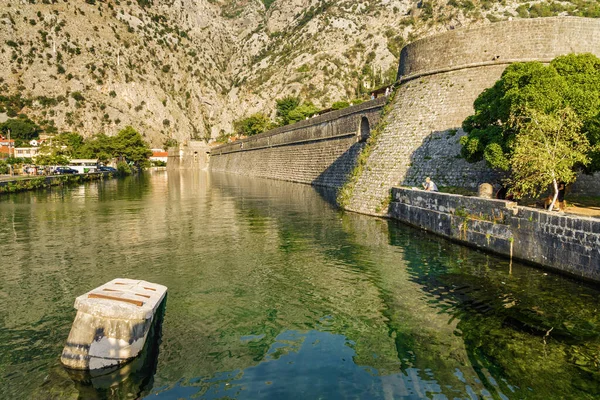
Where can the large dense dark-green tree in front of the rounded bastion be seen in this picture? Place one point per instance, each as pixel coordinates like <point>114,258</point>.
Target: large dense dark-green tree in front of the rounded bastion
<point>569,82</point>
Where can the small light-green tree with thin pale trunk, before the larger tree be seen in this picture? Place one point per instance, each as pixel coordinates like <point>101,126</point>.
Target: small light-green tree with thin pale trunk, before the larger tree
<point>546,150</point>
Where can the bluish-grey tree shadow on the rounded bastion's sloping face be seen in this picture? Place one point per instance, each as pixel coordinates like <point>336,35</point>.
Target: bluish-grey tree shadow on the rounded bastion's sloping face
<point>439,158</point>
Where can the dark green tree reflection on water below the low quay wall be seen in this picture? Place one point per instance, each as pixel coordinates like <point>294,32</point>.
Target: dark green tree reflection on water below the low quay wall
<point>534,331</point>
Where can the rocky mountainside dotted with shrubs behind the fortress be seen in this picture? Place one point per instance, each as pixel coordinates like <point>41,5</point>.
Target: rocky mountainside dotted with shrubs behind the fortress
<point>188,68</point>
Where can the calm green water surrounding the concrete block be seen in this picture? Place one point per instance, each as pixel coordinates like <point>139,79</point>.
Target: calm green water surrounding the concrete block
<point>275,294</point>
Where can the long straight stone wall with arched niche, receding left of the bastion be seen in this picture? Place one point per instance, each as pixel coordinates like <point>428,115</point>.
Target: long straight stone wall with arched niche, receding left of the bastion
<point>319,151</point>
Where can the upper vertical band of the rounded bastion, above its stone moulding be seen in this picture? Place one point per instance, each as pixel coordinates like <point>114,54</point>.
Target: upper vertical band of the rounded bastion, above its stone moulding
<point>505,42</point>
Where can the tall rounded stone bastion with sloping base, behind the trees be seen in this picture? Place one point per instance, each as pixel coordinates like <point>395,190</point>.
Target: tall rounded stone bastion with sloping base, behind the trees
<point>440,77</point>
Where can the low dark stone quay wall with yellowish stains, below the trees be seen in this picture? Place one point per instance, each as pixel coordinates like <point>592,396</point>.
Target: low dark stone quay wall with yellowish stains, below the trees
<point>564,243</point>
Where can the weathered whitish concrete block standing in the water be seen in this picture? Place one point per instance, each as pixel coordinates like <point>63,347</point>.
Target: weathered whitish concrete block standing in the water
<point>112,323</point>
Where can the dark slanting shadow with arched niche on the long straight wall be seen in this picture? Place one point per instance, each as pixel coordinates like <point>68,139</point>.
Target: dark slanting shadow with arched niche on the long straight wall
<point>337,173</point>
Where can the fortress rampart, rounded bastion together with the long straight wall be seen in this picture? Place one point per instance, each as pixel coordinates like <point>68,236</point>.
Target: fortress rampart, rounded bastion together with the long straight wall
<point>439,79</point>
